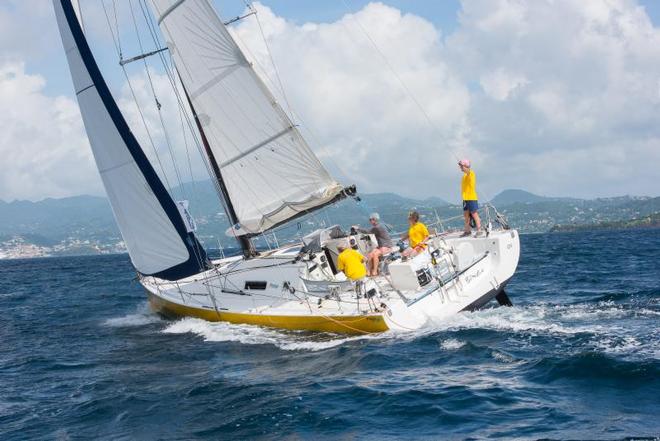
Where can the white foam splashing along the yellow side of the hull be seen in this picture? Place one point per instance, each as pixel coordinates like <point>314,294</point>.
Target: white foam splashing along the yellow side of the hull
<point>248,334</point>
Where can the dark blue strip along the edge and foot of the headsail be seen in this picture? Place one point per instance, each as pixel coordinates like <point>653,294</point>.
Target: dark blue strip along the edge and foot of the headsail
<point>198,260</point>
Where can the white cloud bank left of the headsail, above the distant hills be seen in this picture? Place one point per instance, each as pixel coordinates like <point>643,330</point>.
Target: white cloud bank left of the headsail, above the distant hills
<point>43,147</point>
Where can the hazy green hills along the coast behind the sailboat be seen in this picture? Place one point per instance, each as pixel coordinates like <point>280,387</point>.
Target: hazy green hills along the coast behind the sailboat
<point>86,222</point>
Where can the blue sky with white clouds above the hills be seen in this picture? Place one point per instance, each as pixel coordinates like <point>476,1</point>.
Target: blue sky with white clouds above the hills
<point>557,97</point>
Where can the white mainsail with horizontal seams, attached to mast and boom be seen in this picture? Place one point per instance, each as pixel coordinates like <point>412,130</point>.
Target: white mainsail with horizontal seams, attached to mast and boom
<point>270,172</point>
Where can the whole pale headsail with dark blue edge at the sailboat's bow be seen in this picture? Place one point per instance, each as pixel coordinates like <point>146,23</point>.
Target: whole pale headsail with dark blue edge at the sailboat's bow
<point>149,220</point>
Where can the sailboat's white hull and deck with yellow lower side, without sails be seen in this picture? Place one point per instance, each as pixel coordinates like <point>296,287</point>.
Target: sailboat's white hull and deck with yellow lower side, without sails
<point>274,290</point>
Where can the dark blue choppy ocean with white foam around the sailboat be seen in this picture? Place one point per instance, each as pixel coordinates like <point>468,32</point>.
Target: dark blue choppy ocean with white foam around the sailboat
<point>578,356</point>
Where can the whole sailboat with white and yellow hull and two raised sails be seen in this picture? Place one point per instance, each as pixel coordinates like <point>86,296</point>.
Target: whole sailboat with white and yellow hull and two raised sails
<point>266,175</point>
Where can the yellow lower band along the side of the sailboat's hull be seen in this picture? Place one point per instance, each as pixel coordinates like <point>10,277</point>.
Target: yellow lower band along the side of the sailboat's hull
<point>361,324</point>
